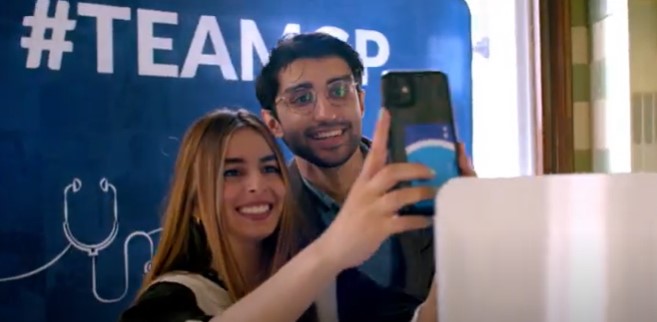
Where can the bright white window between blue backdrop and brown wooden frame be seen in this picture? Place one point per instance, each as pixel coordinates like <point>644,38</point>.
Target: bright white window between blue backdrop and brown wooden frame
<point>503,113</point>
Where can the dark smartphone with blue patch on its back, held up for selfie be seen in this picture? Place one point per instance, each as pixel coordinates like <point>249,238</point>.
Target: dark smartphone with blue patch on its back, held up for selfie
<point>422,127</point>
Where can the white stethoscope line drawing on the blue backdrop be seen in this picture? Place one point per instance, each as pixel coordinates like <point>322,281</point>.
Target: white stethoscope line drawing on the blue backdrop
<point>93,250</point>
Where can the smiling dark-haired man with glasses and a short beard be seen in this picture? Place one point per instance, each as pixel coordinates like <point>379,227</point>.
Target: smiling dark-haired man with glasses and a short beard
<point>311,97</point>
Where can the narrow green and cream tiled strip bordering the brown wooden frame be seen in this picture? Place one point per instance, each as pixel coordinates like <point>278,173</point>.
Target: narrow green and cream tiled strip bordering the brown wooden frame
<point>581,85</point>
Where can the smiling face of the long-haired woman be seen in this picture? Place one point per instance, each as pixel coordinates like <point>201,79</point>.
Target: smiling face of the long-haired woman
<point>253,187</point>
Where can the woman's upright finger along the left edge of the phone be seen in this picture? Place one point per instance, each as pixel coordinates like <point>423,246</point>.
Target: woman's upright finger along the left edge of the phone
<point>376,157</point>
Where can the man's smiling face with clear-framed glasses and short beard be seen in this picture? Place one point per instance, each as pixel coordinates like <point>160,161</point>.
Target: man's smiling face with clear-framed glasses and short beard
<point>319,111</point>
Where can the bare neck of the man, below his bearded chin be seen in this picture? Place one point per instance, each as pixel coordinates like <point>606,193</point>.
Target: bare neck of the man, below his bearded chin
<point>337,181</point>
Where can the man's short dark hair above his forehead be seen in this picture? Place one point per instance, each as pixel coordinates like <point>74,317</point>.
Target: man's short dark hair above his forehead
<point>297,46</point>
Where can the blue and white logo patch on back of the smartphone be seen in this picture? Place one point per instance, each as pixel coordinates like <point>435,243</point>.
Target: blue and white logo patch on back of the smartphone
<point>432,145</point>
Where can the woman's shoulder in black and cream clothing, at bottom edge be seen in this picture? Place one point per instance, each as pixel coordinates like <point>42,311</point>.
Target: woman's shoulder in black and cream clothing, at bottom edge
<point>177,297</point>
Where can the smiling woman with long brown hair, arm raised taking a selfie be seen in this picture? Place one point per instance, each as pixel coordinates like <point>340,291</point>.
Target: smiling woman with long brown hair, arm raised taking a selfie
<point>229,244</point>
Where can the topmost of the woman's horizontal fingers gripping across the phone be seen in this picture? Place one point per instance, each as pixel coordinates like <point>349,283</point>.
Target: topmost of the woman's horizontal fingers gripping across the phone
<point>394,173</point>
